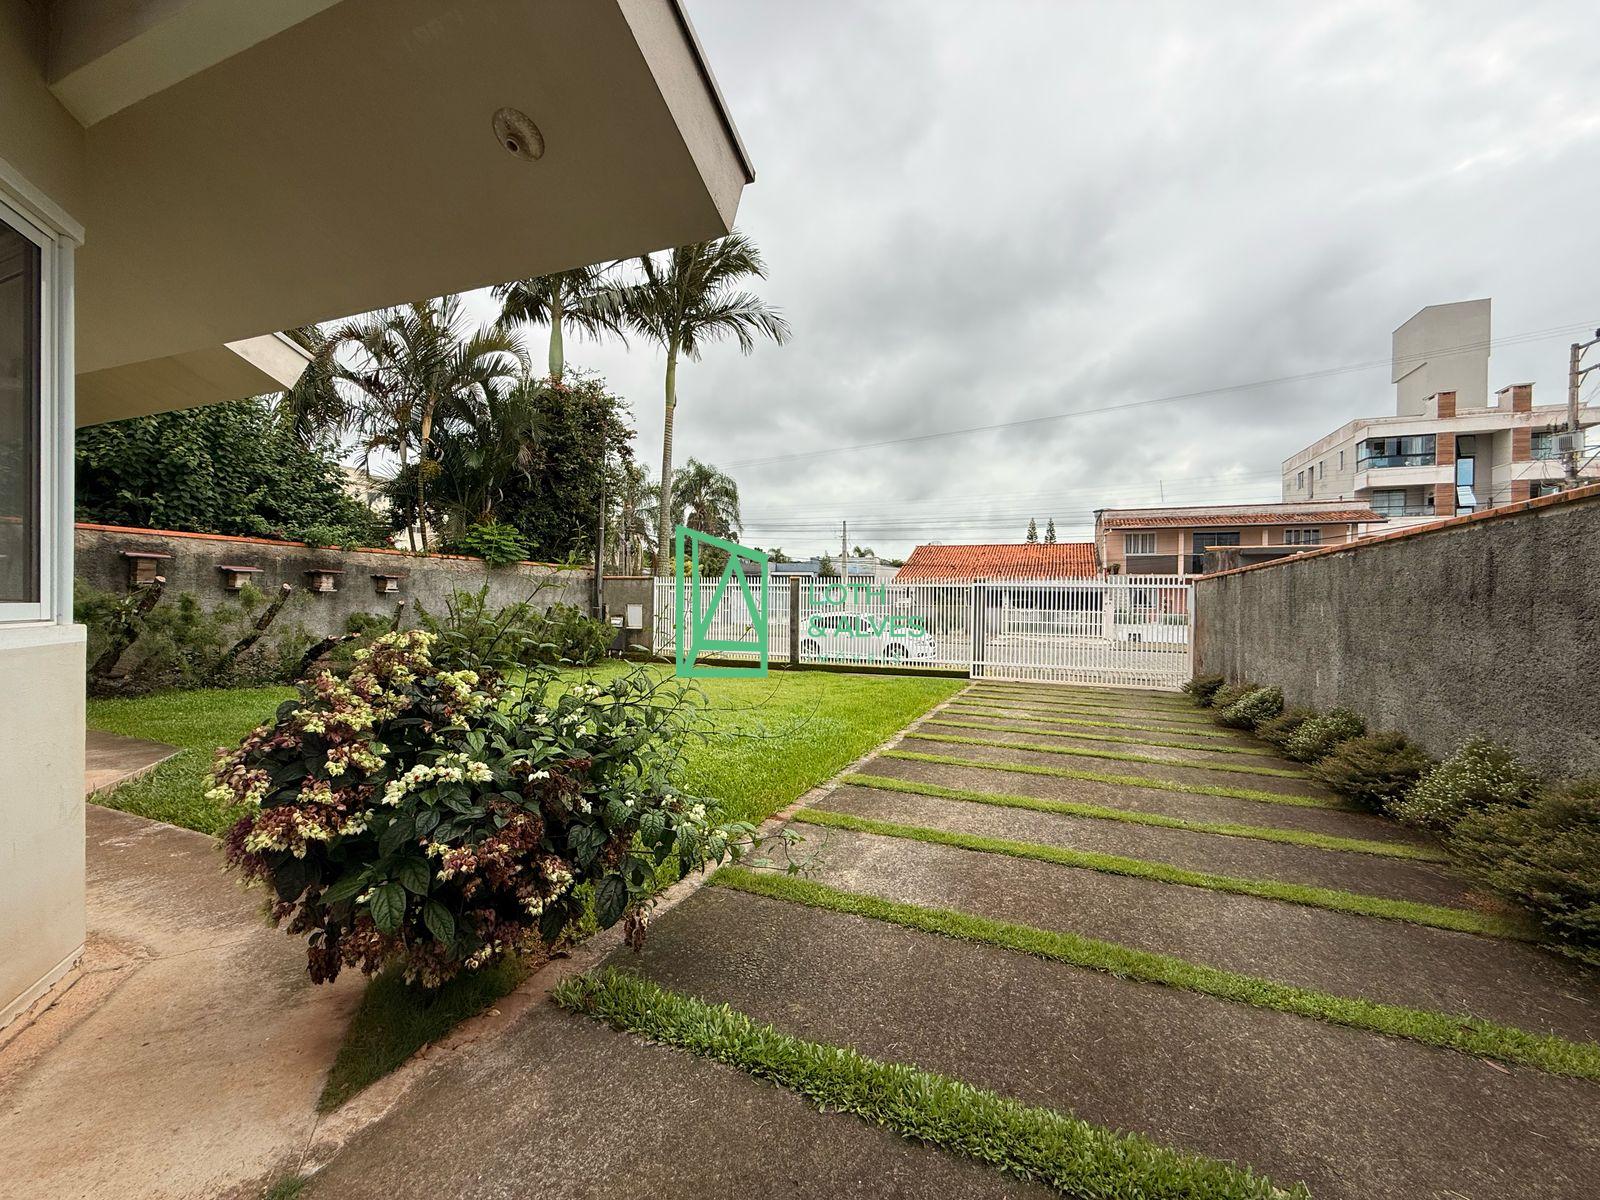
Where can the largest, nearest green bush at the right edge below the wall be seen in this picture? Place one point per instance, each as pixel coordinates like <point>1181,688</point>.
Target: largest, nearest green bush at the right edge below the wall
<point>1546,857</point>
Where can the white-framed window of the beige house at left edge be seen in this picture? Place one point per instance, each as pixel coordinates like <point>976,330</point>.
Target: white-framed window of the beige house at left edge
<point>25,433</point>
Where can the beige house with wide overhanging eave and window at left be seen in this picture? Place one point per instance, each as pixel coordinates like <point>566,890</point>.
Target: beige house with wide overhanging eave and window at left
<point>180,180</point>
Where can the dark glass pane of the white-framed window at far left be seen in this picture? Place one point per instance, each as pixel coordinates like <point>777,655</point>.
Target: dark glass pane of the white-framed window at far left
<point>20,417</point>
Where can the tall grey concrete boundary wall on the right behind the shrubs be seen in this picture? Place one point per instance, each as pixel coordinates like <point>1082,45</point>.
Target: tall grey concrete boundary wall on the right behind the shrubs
<point>1484,625</point>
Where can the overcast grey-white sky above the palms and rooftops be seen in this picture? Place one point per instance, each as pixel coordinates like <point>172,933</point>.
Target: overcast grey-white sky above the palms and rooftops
<point>978,214</point>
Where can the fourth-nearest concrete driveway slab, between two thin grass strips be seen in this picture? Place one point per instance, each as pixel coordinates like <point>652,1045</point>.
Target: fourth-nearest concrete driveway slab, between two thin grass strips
<point>1423,882</point>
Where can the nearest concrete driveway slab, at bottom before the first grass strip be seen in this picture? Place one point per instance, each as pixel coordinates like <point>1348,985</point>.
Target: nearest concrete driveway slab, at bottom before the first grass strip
<point>564,1110</point>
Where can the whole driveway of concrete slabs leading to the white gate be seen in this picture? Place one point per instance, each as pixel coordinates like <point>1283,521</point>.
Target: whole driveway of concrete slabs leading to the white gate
<point>1353,1114</point>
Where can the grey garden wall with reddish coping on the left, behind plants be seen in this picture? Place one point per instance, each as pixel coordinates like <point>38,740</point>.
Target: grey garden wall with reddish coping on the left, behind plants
<point>194,564</point>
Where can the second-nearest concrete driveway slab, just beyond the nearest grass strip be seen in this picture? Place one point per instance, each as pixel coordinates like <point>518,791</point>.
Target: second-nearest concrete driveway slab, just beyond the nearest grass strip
<point>1353,1114</point>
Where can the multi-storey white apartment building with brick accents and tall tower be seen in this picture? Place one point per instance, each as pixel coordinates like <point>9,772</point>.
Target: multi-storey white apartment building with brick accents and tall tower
<point>1452,447</point>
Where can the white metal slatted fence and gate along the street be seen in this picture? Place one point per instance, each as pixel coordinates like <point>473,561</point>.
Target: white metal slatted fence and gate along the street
<point>1130,631</point>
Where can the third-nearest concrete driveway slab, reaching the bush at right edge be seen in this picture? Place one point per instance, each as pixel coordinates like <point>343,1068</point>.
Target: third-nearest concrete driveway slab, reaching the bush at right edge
<point>1346,954</point>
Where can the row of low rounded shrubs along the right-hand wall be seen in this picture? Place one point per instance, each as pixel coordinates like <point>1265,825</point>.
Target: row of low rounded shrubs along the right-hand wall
<point>1532,844</point>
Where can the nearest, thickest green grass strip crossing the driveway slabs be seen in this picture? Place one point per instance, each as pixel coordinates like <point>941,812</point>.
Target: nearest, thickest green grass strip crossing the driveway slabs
<point>1071,1156</point>
